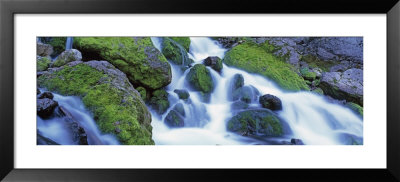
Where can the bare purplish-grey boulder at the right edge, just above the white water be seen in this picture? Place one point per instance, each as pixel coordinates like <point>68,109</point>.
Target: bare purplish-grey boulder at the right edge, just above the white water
<point>344,86</point>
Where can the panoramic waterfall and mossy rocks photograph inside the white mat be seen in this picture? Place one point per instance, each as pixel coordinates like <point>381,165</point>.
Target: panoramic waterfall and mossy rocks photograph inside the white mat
<point>199,90</point>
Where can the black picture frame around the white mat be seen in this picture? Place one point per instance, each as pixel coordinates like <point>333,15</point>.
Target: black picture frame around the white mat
<point>9,8</point>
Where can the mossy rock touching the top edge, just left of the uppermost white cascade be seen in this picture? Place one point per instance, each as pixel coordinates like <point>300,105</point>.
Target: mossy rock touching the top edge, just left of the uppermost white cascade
<point>174,51</point>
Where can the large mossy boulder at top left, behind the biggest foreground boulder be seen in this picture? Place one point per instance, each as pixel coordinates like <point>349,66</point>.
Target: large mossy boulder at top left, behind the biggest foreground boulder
<point>142,63</point>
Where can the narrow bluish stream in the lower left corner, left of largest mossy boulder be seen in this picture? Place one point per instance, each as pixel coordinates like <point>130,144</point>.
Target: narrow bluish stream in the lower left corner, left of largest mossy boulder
<point>57,129</point>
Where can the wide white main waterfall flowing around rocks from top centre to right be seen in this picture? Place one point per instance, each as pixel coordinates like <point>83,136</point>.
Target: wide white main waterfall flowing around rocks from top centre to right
<point>311,117</point>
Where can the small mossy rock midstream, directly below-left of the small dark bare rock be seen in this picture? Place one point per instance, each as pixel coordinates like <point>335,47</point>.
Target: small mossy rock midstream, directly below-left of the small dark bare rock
<point>199,77</point>
